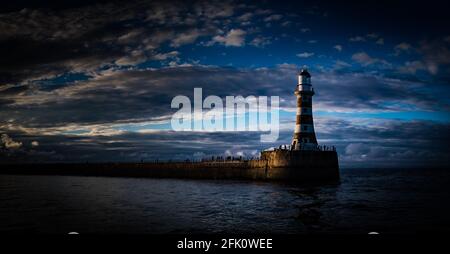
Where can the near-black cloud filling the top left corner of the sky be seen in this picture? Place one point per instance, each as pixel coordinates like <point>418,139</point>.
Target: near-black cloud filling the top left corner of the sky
<point>47,42</point>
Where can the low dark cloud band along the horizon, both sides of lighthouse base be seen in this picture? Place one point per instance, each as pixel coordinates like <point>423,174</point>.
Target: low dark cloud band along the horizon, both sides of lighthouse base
<point>416,143</point>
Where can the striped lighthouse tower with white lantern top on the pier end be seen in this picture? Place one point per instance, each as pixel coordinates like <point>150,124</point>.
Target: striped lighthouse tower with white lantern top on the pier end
<point>304,135</point>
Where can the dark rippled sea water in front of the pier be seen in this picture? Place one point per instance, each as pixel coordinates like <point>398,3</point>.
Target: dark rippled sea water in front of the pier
<point>382,200</point>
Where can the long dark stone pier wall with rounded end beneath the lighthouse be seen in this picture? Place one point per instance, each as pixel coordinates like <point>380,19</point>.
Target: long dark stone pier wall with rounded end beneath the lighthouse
<point>276,165</point>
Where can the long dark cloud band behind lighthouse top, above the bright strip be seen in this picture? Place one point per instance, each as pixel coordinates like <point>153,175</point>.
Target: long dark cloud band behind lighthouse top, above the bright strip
<point>127,95</point>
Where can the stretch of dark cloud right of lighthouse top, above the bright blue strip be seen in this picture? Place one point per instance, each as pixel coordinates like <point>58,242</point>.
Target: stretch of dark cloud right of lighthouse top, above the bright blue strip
<point>368,92</point>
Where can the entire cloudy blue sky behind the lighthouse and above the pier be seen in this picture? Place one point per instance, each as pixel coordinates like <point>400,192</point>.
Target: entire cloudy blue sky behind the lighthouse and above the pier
<point>93,81</point>
